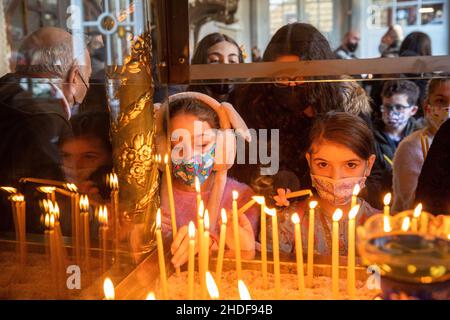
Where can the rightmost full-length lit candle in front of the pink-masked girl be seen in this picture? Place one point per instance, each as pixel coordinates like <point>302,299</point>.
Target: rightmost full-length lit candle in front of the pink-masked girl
<point>351,277</point>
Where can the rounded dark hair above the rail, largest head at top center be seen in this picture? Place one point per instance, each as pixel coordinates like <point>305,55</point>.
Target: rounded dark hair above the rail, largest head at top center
<point>299,39</point>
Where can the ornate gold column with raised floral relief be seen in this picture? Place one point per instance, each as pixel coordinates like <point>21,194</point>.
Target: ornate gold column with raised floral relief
<point>130,99</point>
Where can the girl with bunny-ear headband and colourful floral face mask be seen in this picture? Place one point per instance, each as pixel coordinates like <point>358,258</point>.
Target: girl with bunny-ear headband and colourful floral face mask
<point>194,146</point>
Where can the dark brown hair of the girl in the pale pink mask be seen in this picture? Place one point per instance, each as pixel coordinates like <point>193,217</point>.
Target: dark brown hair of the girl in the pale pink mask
<point>345,129</point>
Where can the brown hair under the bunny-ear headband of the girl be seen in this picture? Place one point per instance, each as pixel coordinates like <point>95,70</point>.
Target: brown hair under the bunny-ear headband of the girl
<point>193,107</point>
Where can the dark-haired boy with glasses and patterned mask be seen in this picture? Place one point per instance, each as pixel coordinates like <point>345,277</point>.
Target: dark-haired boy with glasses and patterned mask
<point>399,106</point>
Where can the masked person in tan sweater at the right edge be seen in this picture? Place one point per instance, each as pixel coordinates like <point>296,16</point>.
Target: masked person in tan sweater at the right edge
<point>412,151</point>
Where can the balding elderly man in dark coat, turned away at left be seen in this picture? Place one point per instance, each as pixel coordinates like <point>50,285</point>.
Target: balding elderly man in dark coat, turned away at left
<point>36,102</point>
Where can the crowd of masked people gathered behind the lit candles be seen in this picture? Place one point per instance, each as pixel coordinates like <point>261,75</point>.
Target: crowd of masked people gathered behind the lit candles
<point>333,134</point>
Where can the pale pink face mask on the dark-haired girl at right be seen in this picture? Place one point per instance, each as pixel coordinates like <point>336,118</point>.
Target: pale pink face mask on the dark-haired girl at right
<point>337,192</point>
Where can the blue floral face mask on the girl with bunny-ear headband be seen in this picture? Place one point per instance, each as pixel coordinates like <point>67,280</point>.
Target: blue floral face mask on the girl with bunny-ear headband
<point>200,166</point>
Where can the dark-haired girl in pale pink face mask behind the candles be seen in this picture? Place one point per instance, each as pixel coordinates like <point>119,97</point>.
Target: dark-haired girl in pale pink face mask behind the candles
<point>341,155</point>
